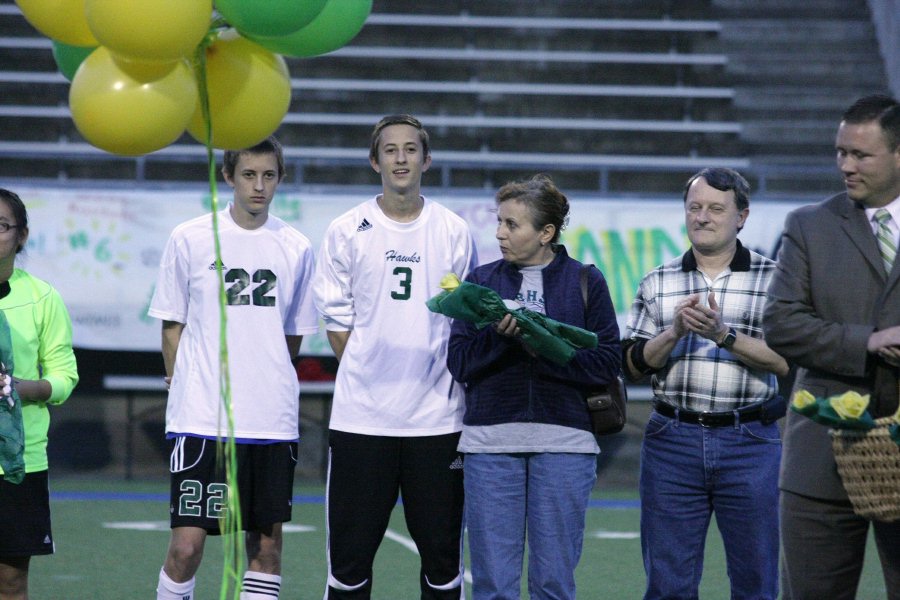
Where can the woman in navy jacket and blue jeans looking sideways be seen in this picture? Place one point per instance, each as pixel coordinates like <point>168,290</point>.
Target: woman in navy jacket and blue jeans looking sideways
<point>530,454</point>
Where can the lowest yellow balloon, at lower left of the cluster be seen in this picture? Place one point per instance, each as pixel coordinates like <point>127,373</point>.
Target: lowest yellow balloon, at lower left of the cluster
<point>123,115</point>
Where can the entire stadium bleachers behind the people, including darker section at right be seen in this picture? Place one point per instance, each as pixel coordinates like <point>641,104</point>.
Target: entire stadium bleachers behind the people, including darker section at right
<point>637,93</point>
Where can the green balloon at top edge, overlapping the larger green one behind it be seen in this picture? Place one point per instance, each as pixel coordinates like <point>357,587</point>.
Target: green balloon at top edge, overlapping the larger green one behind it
<point>269,17</point>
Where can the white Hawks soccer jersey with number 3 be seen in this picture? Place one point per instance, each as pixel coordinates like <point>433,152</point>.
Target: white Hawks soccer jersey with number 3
<point>373,277</point>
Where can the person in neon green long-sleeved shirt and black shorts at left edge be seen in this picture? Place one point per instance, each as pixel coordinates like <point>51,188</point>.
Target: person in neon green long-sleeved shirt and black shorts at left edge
<point>36,349</point>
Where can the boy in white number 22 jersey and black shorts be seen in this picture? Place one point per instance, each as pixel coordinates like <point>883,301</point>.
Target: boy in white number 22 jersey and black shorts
<point>267,266</point>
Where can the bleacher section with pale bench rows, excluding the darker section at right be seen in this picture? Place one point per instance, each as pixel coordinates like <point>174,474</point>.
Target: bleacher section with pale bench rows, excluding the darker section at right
<point>623,88</point>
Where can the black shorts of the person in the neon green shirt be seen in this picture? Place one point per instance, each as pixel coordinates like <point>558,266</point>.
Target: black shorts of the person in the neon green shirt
<point>25,516</point>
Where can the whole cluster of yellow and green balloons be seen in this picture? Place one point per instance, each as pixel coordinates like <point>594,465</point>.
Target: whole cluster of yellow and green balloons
<point>139,69</point>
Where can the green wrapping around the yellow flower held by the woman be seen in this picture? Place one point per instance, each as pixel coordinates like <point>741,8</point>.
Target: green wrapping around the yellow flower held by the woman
<point>482,306</point>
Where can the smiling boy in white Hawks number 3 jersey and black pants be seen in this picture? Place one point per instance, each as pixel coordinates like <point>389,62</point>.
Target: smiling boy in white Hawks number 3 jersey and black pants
<point>397,412</point>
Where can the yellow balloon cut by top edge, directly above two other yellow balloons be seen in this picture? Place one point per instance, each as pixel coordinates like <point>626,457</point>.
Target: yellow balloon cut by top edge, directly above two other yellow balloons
<point>161,30</point>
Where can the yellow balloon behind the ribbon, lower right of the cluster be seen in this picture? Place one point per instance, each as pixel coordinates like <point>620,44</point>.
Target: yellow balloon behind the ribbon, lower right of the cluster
<point>249,93</point>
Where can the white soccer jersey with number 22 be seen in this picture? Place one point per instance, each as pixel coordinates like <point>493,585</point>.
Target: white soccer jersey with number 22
<point>267,273</point>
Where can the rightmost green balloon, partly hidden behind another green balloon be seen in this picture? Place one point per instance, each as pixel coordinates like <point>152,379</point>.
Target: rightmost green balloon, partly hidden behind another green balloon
<point>334,27</point>
